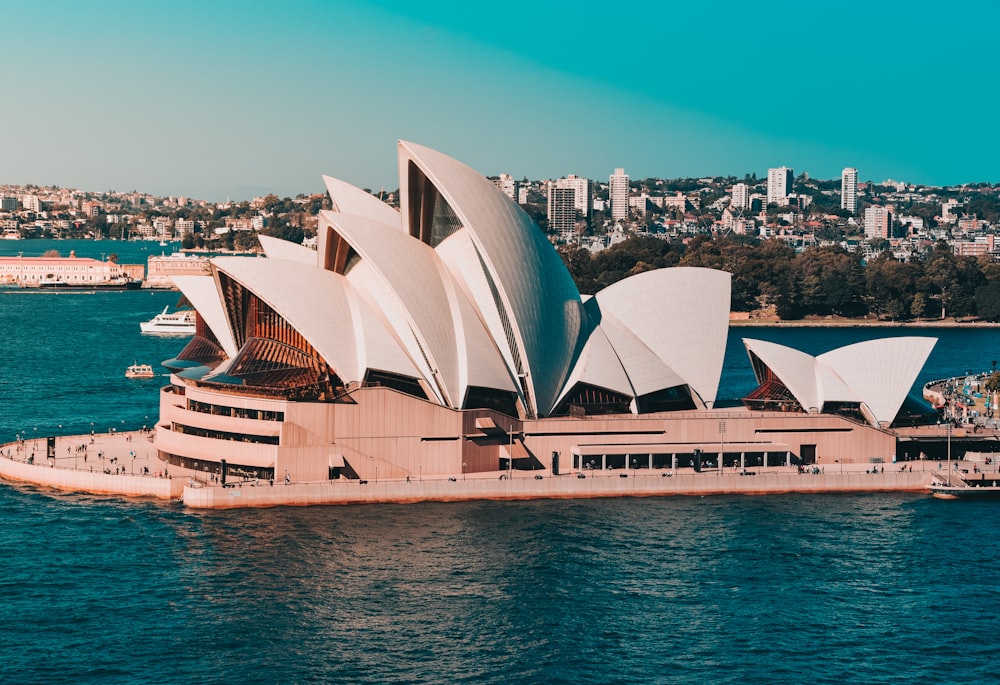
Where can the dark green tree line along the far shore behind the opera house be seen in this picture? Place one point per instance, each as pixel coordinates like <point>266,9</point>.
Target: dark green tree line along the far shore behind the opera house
<point>773,281</point>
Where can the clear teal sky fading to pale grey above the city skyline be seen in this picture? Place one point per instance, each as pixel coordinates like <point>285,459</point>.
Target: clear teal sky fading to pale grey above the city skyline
<point>214,99</point>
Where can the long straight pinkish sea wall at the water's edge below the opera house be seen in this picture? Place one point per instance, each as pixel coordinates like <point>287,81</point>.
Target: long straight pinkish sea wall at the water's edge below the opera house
<point>549,487</point>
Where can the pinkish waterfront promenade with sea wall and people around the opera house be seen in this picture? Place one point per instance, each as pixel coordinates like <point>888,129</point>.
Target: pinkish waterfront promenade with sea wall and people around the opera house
<point>125,464</point>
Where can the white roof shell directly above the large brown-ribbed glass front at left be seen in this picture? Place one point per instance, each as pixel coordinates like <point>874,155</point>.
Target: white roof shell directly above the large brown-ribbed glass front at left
<point>322,307</point>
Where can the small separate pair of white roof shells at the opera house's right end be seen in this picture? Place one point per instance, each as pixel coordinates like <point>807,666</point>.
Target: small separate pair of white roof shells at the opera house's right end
<point>875,373</point>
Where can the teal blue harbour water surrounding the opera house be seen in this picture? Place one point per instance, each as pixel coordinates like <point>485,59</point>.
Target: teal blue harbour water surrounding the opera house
<point>783,589</point>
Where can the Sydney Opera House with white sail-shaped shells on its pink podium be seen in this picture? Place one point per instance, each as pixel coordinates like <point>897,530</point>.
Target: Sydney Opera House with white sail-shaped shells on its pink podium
<point>446,339</point>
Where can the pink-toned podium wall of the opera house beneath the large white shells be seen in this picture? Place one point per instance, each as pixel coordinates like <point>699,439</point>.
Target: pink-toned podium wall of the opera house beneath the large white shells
<point>384,434</point>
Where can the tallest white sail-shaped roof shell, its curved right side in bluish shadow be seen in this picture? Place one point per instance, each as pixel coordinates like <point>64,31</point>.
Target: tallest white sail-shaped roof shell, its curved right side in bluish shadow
<point>530,287</point>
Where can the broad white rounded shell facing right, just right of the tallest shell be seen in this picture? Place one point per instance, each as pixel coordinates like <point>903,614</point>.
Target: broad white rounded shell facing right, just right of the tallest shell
<point>682,315</point>
